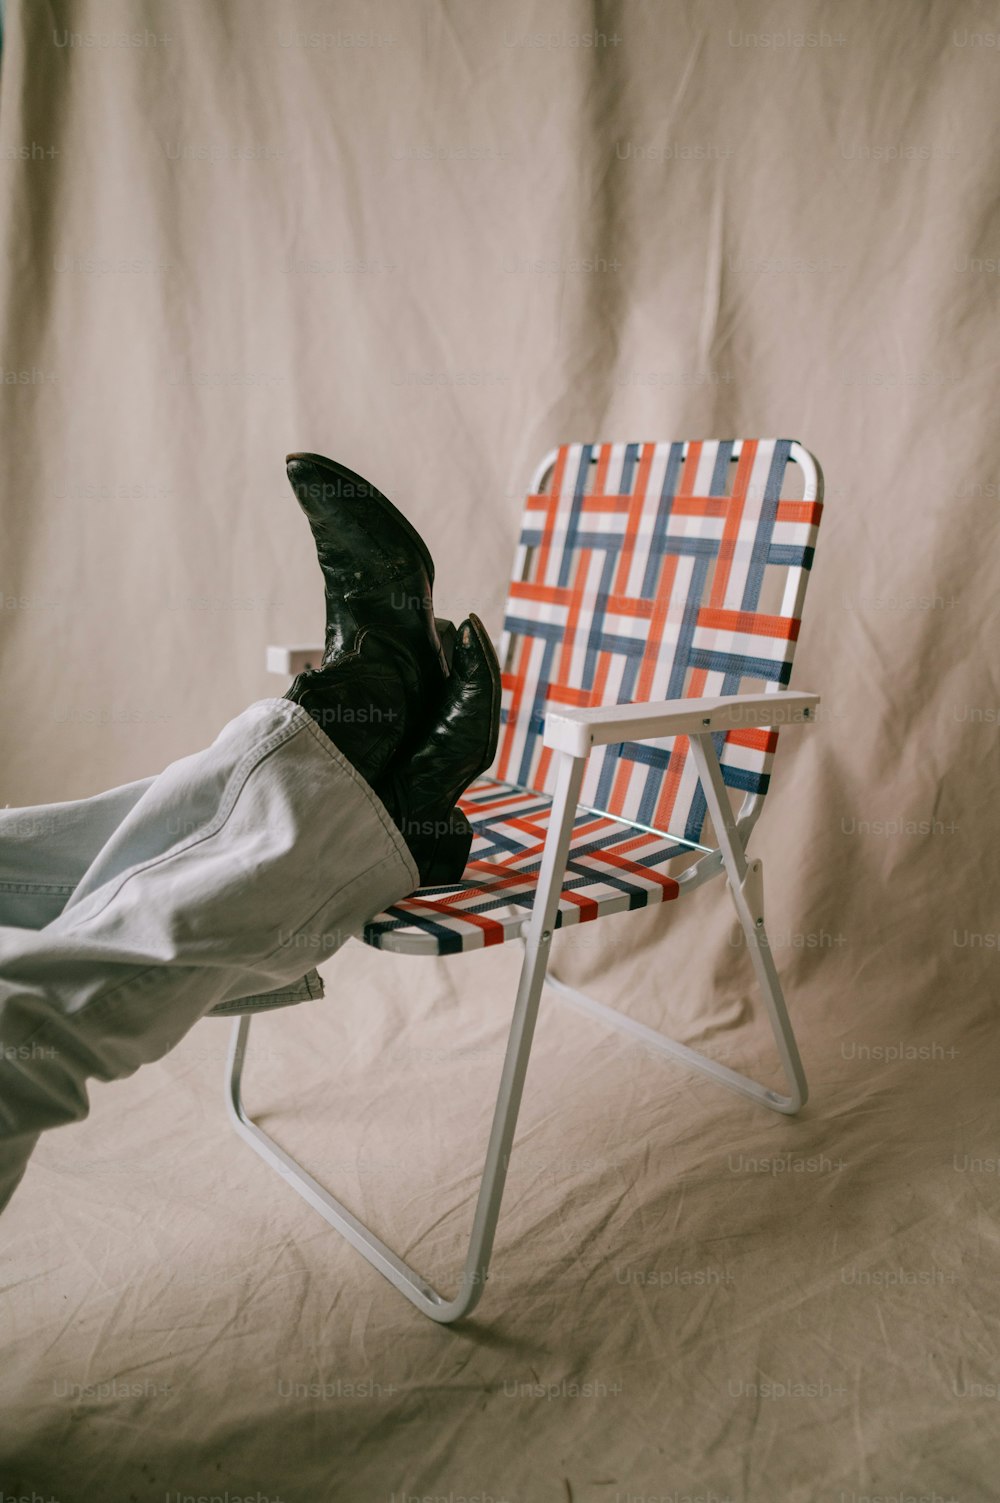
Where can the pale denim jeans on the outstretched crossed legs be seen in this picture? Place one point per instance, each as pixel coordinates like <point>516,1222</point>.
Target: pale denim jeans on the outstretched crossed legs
<point>126,918</point>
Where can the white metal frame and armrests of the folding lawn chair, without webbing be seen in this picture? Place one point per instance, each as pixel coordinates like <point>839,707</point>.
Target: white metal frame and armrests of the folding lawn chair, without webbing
<point>571,734</point>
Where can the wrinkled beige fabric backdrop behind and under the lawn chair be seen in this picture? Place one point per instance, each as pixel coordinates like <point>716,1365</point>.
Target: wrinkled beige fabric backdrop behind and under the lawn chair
<point>435,240</point>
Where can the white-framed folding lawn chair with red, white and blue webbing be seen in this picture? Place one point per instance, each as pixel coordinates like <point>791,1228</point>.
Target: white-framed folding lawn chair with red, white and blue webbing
<point>647,650</point>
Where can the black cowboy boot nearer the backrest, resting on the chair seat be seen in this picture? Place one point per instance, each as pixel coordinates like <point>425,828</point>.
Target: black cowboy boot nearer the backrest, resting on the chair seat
<point>420,793</point>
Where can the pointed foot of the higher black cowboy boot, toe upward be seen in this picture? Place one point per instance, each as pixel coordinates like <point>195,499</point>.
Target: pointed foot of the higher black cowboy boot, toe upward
<point>377,573</point>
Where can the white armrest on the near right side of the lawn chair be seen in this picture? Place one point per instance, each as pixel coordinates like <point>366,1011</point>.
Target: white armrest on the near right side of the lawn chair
<point>577,731</point>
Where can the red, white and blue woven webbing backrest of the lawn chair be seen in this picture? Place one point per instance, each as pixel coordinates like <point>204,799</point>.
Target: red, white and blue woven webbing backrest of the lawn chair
<point>647,572</point>
